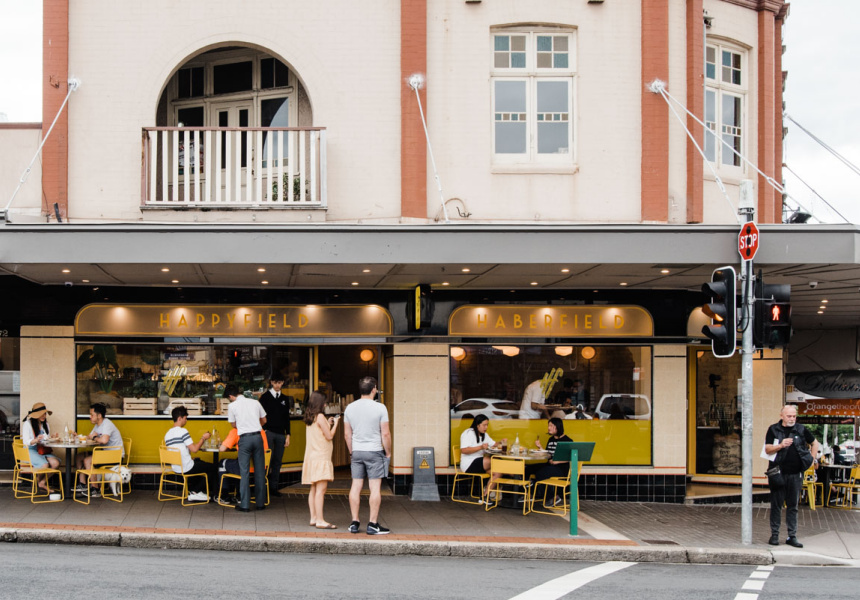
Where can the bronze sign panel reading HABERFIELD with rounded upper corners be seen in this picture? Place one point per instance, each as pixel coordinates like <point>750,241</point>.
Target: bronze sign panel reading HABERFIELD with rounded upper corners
<point>522,320</point>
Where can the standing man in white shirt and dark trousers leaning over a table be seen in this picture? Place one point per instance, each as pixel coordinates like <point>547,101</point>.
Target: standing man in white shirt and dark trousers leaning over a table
<point>248,417</point>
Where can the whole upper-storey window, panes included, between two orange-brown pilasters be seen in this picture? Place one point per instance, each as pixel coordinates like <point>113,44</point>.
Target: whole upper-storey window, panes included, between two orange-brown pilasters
<point>532,96</point>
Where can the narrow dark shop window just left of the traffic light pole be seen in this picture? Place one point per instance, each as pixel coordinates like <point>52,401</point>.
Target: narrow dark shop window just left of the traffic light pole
<point>718,415</point>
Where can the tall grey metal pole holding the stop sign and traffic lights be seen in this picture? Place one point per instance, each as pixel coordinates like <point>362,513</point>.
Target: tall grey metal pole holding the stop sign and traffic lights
<point>746,208</point>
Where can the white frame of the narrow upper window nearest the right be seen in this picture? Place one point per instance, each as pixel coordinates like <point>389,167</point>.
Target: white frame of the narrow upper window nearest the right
<point>724,89</point>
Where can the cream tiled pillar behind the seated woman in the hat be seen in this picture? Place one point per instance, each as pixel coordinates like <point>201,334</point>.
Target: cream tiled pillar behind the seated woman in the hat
<point>48,373</point>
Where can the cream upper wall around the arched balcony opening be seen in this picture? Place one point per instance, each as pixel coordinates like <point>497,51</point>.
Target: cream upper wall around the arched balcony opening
<point>347,55</point>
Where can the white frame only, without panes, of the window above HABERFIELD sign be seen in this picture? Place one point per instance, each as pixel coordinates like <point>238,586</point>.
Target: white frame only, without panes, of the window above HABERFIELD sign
<point>532,75</point>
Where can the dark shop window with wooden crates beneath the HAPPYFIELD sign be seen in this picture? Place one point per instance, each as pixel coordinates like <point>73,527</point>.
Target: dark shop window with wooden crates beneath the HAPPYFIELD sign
<point>149,379</point>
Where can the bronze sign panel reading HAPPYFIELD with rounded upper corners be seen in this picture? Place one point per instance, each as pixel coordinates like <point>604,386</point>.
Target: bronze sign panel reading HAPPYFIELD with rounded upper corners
<point>159,320</point>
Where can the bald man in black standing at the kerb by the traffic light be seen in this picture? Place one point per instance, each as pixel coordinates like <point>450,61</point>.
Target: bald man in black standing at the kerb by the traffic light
<point>790,441</point>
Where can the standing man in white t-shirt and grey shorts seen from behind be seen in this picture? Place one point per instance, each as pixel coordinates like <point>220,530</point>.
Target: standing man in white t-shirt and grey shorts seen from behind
<point>368,438</point>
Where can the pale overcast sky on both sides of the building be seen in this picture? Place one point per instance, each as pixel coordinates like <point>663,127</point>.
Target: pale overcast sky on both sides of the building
<point>821,94</point>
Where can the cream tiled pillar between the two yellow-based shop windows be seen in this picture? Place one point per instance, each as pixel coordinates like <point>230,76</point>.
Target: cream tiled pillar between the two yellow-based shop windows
<point>421,417</point>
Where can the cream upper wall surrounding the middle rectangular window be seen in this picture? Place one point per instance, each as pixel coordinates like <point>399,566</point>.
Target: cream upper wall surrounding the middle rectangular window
<point>607,98</point>
